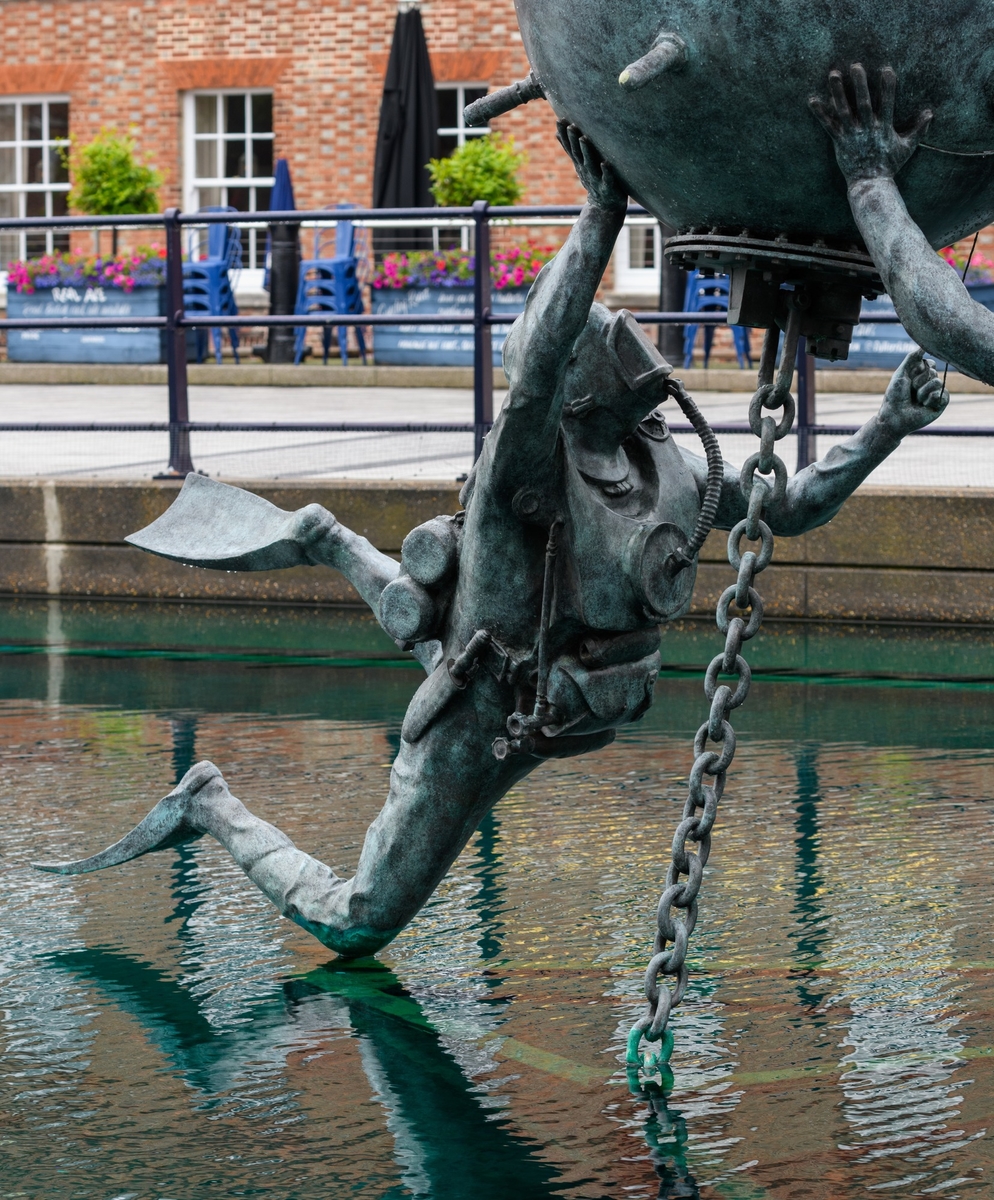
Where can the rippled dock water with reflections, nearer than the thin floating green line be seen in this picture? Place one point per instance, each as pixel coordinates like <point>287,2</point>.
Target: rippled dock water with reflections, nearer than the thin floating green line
<point>167,1035</point>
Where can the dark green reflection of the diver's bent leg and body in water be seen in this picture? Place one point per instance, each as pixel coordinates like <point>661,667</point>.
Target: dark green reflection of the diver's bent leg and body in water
<point>446,1144</point>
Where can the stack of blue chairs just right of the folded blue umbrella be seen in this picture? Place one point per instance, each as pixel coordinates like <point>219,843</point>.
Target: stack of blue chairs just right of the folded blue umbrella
<point>331,285</point>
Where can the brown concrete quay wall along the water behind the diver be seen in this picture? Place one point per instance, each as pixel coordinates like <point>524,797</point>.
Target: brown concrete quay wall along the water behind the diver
<point>893,555</point>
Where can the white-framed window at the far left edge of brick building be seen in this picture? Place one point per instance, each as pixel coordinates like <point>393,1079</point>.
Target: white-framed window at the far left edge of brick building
<point>34,177</point>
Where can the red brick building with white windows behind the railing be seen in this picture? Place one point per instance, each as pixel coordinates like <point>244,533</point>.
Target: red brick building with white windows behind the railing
<point>215,93</point>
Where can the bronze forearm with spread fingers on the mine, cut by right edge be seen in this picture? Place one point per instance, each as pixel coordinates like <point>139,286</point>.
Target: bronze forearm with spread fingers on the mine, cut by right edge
<point>930,298</point>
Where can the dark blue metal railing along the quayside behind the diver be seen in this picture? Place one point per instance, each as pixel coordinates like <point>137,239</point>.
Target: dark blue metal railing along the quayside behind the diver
<point>481,218</point>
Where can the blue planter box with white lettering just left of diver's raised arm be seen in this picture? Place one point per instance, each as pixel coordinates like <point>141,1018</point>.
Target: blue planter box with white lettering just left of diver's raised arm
<point>450,346</point>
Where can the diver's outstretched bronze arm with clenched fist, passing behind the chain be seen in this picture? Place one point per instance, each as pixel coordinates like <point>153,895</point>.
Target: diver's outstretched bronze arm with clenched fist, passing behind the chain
<point>914,399</point>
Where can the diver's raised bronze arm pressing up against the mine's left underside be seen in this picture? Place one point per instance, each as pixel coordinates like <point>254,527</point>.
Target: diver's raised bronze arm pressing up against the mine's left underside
<point>558,309</point>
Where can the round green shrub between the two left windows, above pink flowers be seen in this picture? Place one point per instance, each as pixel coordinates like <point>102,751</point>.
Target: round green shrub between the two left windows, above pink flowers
<point>109,179</point>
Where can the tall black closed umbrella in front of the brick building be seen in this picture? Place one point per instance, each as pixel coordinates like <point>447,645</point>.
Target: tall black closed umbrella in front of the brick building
<point>409,131</point>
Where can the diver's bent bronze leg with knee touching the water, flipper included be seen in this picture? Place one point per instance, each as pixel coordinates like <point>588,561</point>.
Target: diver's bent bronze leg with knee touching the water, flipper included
<point>440,789</point>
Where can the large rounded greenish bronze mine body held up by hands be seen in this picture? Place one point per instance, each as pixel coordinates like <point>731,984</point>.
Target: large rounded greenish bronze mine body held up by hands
<point>703,105</point>
